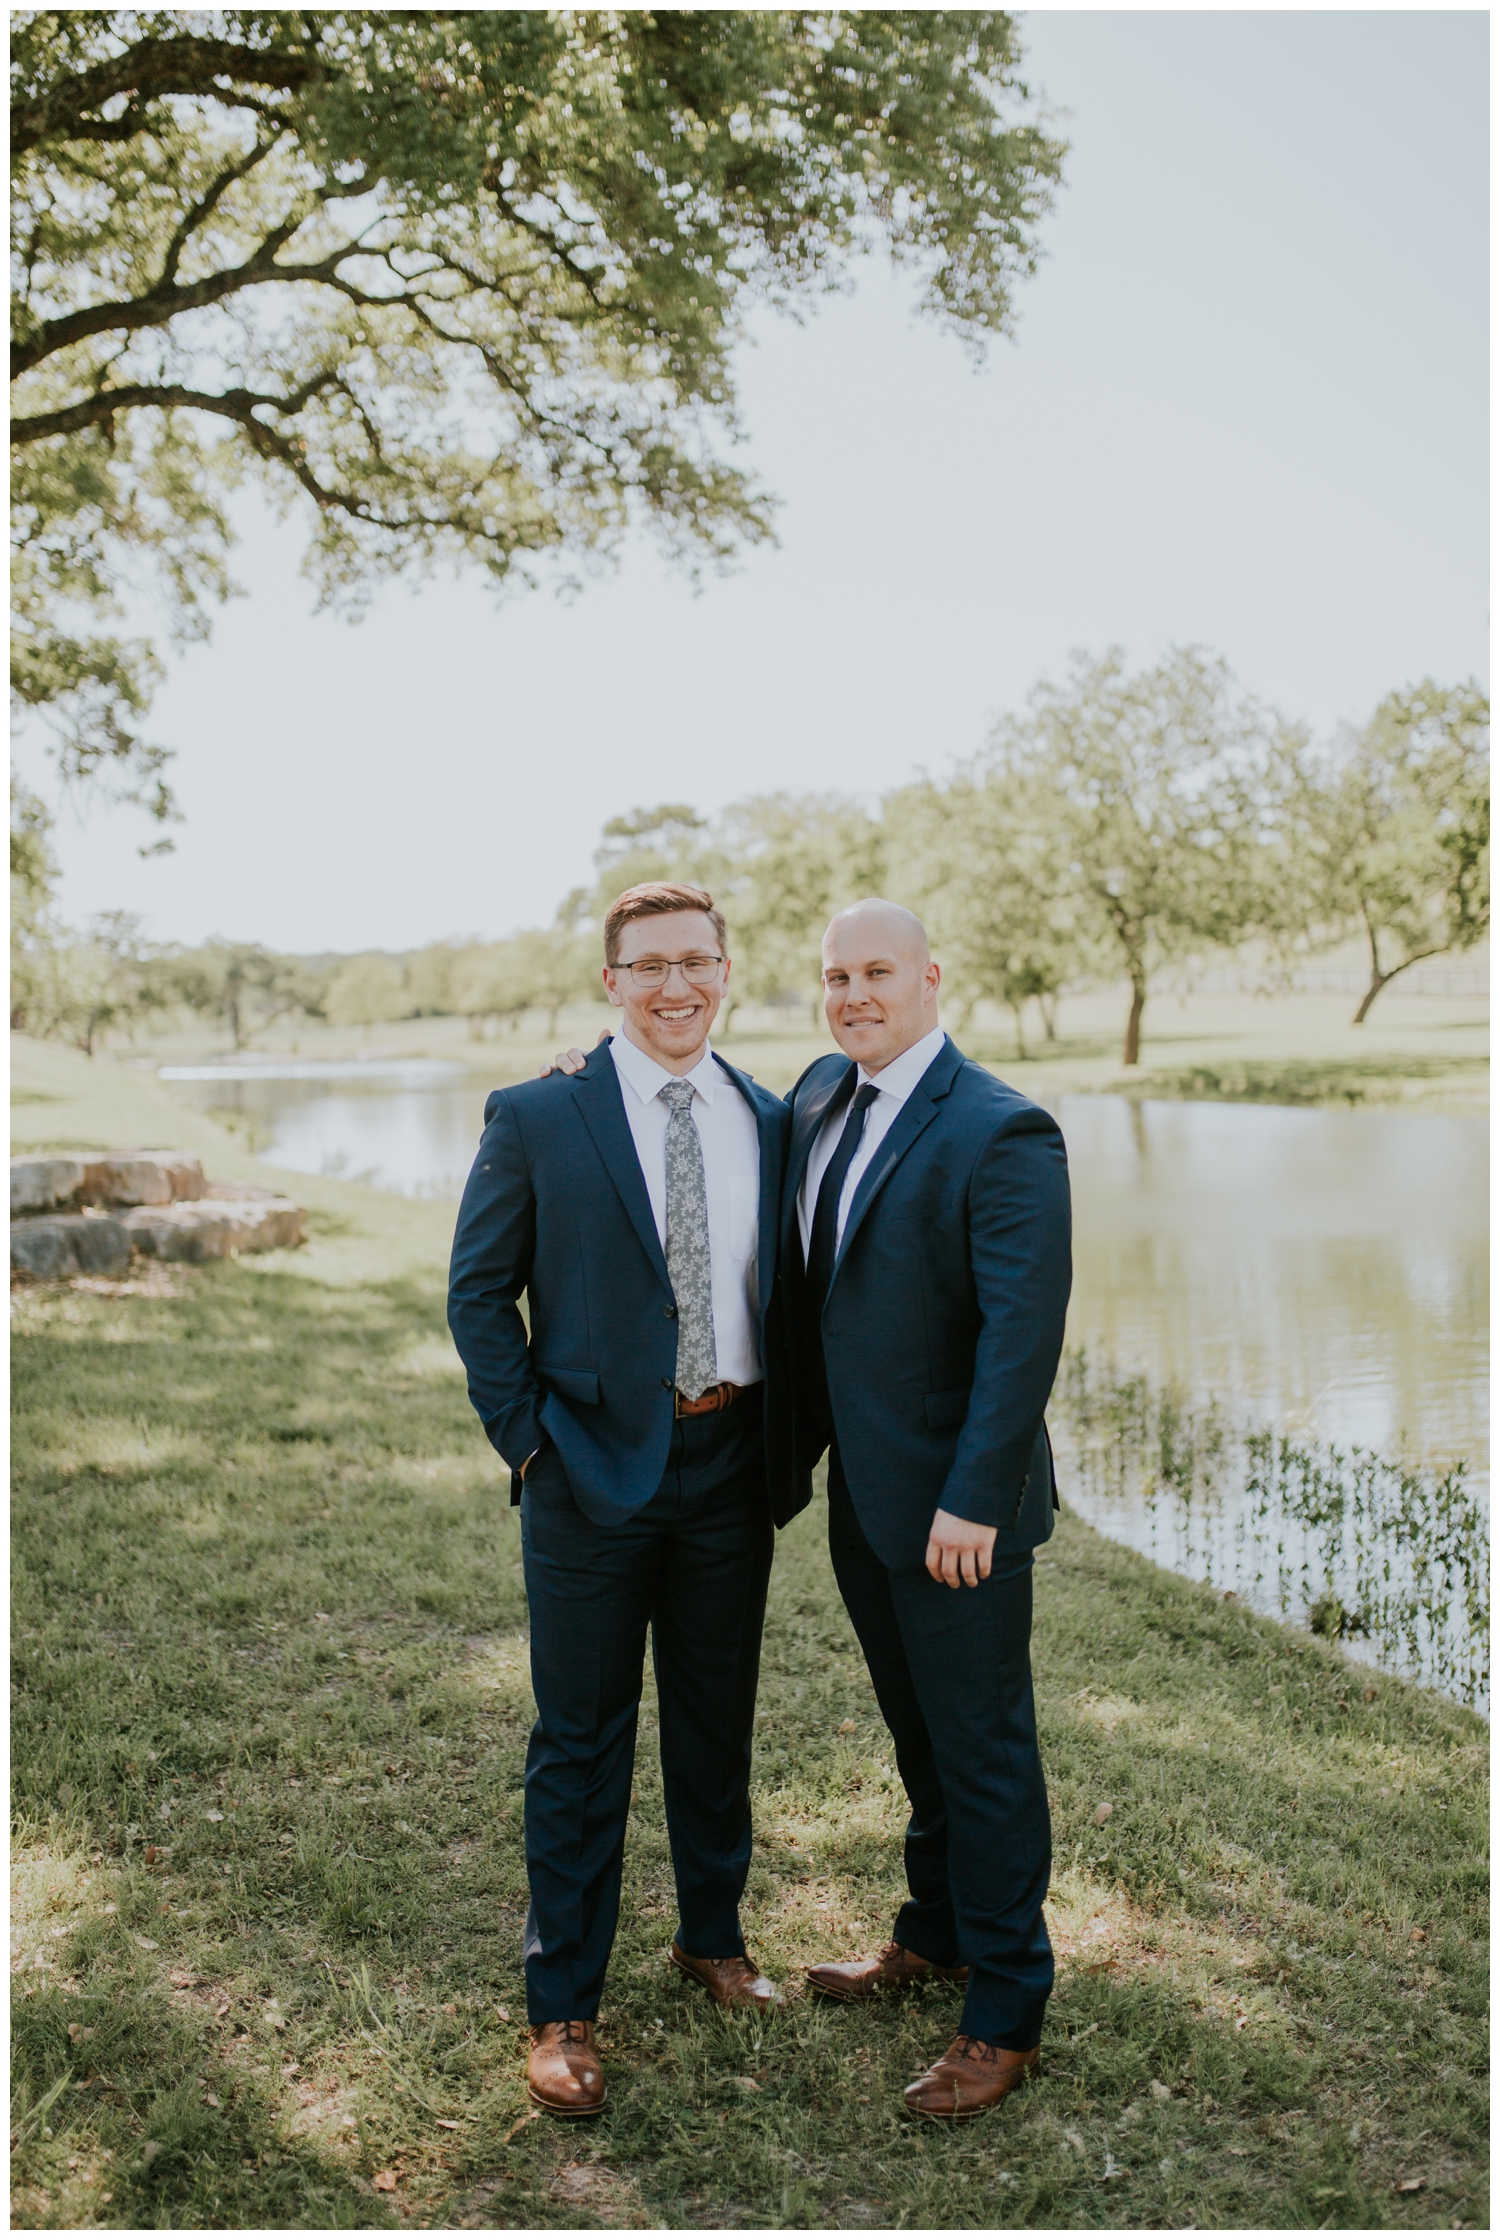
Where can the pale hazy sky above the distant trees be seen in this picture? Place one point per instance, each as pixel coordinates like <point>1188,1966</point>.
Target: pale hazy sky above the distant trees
<point>1246,407</point>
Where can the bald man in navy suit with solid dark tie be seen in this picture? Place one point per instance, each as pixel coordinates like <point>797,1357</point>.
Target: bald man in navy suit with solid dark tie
<point>926,1247</point>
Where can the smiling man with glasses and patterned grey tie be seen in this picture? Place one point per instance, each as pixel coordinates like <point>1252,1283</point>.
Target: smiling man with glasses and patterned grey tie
<point>648,1426</point>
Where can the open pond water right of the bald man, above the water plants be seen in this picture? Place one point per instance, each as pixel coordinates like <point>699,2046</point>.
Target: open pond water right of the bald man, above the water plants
<point>1324,1271</point>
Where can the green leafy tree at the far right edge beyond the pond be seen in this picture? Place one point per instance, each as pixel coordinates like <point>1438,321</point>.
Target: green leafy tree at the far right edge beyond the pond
<point>1394,830</point>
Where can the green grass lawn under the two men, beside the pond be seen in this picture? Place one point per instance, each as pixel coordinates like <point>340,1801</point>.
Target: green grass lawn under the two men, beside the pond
<point>268,1753</point>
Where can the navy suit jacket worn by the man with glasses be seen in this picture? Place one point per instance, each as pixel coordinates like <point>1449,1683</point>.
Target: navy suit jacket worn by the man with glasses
<point>556,1206</point>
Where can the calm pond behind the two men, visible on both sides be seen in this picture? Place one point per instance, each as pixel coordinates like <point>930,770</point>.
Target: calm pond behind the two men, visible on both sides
<point>1313,1273</point>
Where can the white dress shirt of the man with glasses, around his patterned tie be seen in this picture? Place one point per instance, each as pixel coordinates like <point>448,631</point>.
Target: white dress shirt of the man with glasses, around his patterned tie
<point>733,1173</point>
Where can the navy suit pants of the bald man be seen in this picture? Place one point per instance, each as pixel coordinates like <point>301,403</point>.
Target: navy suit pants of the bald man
<point>953,1677</point>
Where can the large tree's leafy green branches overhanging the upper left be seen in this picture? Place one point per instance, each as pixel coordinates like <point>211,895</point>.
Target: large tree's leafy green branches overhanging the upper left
<point>469,281</point>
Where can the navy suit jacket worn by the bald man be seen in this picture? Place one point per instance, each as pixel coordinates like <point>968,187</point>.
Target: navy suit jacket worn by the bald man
<point>946,1316</point>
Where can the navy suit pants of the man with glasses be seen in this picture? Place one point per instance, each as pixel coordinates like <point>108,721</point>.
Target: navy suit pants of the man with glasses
<point>693,1569</point>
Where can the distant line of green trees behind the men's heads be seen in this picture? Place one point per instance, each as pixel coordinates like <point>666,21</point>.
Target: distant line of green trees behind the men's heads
<point>1121,823</point>
